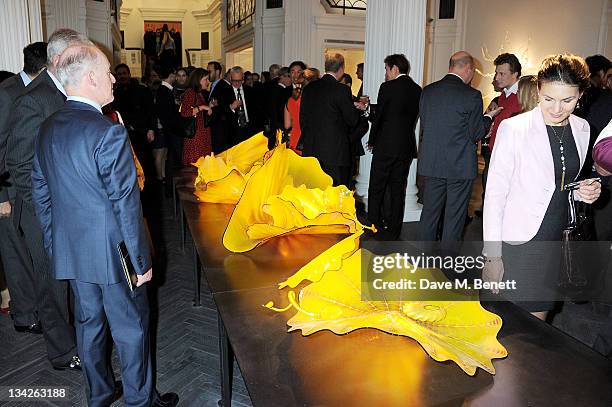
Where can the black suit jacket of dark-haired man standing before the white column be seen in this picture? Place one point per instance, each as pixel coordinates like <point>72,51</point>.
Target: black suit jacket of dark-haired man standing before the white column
<point>397,110</point>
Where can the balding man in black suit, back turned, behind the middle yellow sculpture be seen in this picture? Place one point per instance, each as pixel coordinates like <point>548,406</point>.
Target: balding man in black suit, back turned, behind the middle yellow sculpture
<point>327,115</point>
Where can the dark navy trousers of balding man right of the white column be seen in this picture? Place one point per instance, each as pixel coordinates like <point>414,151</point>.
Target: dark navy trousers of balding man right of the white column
<point>451,196</point>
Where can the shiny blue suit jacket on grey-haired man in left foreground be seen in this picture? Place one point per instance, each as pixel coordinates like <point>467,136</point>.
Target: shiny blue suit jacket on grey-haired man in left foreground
<point>86,196</point>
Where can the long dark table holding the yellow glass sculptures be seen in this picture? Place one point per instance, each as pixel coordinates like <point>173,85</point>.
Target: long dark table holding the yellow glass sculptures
<point>368,367</point>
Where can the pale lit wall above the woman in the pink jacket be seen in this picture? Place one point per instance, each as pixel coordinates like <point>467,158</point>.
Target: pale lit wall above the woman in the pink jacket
<point>531,30</point>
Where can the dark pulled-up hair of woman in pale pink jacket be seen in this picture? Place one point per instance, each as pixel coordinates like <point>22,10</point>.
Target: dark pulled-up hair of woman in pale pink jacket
<point>565,68</point>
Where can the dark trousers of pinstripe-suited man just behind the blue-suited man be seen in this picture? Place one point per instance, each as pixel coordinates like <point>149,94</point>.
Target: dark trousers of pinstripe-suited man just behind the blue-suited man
<point>52,294</point>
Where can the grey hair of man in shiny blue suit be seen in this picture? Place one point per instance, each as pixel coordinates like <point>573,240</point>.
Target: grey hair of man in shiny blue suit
<point>73,64</point>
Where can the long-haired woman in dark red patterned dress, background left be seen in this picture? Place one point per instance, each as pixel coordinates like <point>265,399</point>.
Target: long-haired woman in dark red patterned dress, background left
<point>194,104</point>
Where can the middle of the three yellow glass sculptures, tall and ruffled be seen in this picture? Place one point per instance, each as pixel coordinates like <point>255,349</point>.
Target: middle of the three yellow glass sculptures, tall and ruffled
<point>289,194</point>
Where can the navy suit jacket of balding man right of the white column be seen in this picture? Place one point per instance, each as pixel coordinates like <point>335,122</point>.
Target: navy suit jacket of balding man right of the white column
<point>452,123</point>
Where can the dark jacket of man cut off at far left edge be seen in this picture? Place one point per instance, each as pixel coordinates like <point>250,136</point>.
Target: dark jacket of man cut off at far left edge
<point>10,90</point>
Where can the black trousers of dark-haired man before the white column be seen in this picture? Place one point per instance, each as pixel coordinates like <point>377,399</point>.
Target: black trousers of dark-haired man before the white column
<point>388,174</point>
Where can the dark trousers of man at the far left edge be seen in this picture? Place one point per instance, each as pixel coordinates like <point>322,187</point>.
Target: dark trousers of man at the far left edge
<point>18,273</point>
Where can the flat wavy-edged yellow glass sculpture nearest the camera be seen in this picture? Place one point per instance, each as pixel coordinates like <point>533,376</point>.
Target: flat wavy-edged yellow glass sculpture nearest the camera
<point>461,331</point>
